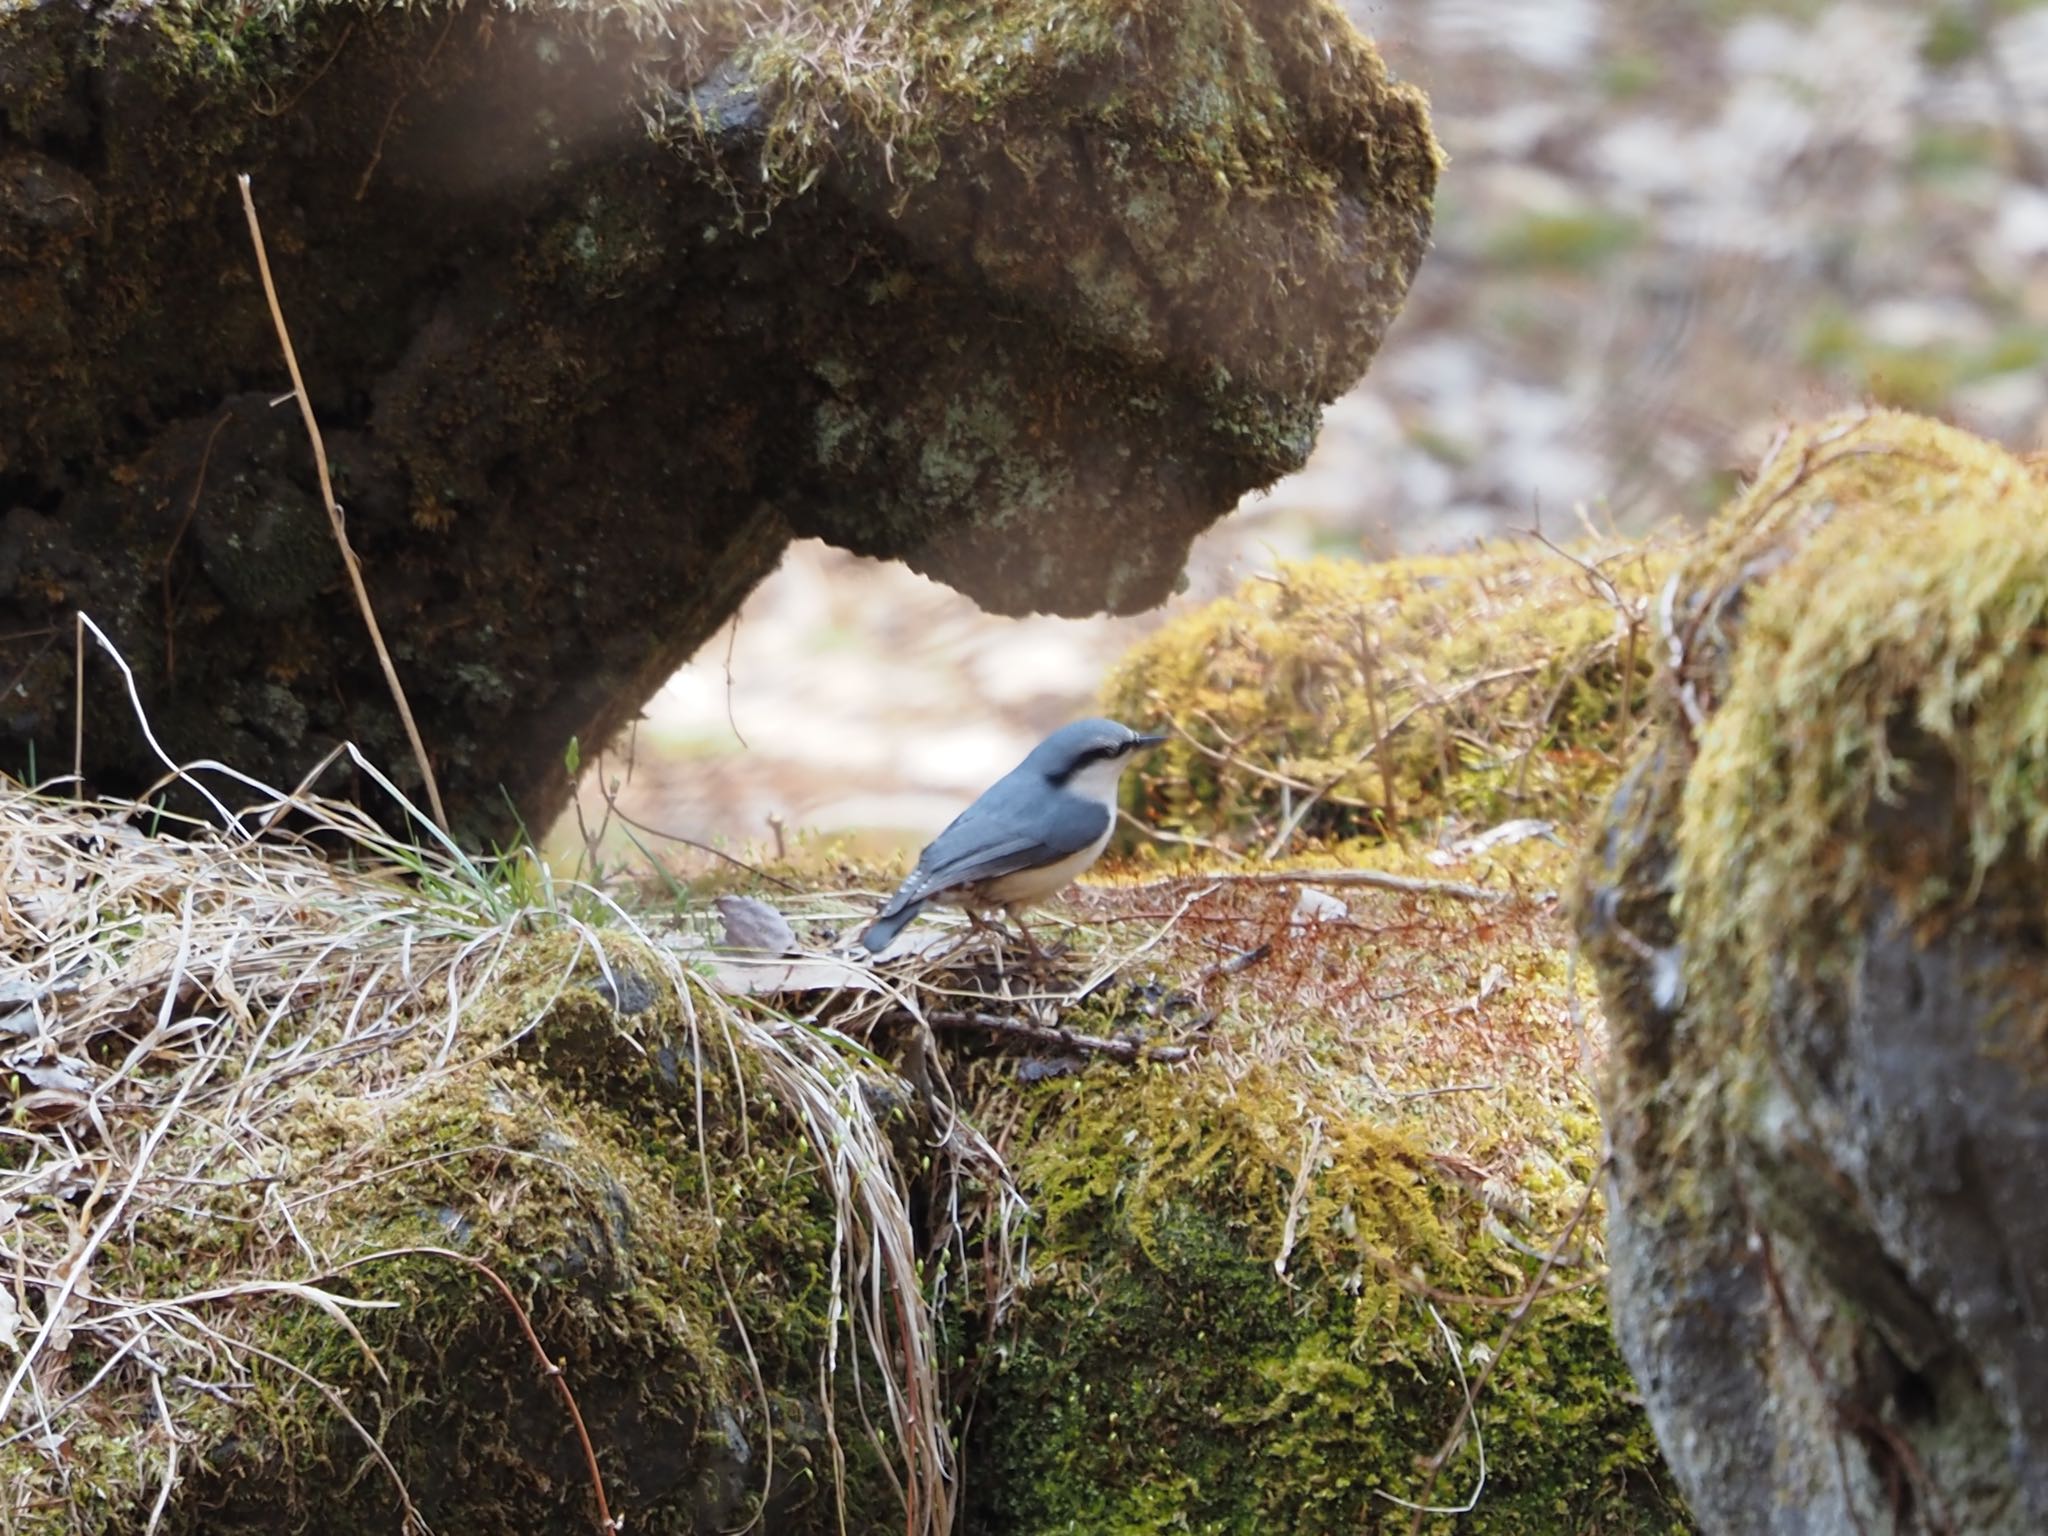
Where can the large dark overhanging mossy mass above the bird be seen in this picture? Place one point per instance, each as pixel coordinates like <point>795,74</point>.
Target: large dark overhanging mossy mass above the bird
<point>601,304</point>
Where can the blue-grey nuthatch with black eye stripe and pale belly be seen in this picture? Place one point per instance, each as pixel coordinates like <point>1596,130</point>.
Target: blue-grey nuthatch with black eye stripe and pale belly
<point>1027,837</point>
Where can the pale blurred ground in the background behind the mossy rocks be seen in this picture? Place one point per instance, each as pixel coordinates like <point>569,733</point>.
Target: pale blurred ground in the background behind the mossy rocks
<point>1666,226</point>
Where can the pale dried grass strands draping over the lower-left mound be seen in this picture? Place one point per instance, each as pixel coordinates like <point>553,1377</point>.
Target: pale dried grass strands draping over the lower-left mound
<point>173,992</point>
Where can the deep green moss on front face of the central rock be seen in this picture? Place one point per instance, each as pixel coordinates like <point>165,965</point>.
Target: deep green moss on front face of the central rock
<point>1168,1379</point>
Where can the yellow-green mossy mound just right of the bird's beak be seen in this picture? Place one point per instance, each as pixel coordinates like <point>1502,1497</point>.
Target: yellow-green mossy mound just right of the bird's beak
<point>1467,687</point>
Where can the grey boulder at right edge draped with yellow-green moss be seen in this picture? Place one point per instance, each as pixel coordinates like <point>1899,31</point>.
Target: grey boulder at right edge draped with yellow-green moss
<point>1816,910</point>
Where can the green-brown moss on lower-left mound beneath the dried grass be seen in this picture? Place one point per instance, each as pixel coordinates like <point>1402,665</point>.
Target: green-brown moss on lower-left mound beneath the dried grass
<point>577,1168</point>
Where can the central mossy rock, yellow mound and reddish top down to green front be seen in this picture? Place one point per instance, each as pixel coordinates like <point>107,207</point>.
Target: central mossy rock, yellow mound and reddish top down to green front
<point>1267,1281</point>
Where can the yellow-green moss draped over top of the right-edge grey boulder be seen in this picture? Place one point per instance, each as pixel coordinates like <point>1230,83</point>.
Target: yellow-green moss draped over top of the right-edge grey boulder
<point>1891,581</point>
